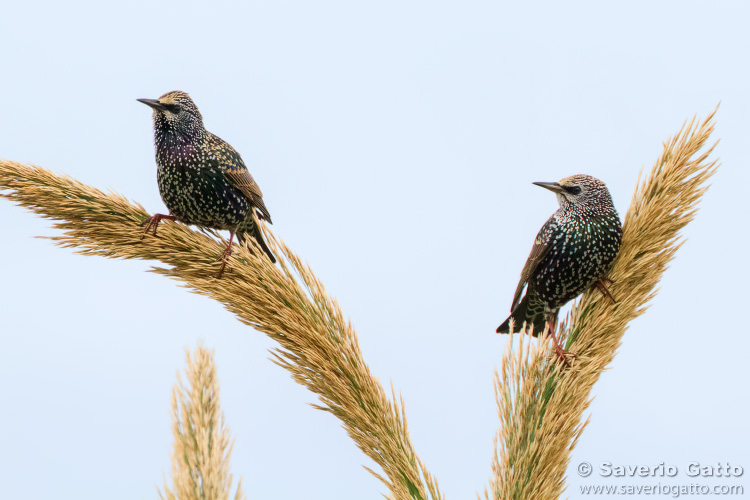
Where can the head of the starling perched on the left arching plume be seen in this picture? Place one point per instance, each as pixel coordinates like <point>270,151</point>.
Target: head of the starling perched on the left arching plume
<point>175,112</point>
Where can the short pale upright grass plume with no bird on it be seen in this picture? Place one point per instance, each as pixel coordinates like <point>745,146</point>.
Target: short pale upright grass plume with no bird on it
<point>202,446</point>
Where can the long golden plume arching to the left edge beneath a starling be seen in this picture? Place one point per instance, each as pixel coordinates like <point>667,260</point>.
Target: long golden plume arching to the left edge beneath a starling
<point>286,302</point>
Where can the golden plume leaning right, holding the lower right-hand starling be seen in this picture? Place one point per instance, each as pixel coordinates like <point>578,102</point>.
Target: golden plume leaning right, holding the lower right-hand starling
<point>540,404</point>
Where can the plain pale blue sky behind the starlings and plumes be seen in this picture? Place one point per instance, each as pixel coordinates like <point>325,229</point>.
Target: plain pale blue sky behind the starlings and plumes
<point>395,143</point>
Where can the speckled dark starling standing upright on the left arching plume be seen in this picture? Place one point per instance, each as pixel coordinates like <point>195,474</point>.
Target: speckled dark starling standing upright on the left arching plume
<point>202,179</point>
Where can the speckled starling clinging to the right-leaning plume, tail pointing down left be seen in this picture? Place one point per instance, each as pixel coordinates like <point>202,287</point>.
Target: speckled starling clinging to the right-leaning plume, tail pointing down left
<point>574,250</point>
